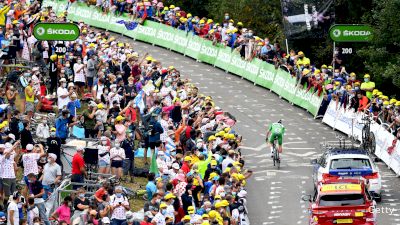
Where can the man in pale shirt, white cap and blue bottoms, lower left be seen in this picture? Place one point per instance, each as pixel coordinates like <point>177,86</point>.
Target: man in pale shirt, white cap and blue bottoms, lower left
<point>51,175</point>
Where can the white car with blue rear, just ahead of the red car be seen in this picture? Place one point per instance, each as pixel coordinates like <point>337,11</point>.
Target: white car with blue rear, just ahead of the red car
<point>348,163</point>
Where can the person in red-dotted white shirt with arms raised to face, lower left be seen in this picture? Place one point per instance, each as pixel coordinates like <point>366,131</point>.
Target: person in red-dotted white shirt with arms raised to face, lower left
<point>30,159</point>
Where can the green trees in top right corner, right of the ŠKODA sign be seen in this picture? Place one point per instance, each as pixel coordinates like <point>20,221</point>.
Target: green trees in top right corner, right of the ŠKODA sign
<point>382,56</point>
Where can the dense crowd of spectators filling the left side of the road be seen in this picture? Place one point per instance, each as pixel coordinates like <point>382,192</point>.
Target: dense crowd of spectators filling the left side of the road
<point>127,102</point>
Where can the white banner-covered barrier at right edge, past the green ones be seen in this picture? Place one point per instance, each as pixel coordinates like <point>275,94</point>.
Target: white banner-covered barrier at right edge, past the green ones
<point>348,122</point>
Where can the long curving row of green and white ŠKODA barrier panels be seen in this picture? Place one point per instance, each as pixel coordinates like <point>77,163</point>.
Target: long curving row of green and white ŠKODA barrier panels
<point>256,71</point>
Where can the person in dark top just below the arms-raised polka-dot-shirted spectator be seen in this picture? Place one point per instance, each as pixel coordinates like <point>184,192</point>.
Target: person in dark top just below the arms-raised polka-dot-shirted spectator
<point>36,191</point>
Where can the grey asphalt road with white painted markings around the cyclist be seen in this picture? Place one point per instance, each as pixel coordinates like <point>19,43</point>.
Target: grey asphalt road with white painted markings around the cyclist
<point>274,196</point>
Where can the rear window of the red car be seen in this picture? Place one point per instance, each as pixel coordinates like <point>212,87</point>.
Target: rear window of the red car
<point>342,200</point>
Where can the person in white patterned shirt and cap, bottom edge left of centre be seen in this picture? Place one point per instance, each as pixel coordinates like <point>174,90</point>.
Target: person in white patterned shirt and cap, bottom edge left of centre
<point>119,206</point>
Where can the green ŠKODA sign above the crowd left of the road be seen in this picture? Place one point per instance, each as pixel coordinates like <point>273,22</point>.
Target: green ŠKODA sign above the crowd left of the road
<point>56,31</point>
